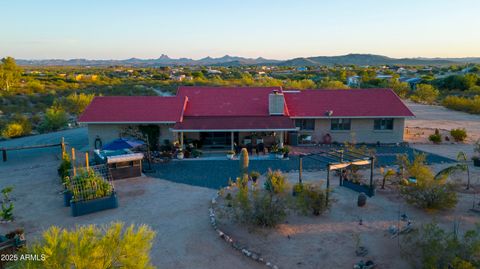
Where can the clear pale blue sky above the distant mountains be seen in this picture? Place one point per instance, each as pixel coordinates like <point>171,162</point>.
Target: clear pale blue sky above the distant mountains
<point>108,29</point>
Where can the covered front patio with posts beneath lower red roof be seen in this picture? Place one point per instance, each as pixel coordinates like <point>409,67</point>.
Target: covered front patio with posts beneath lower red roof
<point>233,133</point>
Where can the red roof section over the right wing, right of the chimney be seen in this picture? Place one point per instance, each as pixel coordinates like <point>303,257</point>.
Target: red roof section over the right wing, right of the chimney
<point>346,103</point>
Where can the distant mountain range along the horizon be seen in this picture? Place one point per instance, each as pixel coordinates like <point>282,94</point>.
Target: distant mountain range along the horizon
<point>164,60</point>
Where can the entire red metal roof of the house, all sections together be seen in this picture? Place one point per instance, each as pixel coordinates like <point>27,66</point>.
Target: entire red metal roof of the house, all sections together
<point>239,108</point>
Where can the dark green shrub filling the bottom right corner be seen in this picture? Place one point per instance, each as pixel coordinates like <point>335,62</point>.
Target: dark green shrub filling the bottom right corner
<point>432,247</point>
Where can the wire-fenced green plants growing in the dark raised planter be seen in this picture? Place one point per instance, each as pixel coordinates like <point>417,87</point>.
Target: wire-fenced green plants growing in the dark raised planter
<point>92,183</point>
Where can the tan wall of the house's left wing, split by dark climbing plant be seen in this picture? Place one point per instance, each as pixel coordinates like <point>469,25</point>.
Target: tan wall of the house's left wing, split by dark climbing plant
<point>109,132</point>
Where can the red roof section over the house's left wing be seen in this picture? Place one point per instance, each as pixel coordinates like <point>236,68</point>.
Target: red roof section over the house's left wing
<point>133,109</point>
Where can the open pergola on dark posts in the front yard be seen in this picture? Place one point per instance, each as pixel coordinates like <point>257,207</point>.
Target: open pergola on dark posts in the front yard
<point>338,160</point>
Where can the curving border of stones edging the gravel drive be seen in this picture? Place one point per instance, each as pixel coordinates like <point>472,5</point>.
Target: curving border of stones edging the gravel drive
<point>232,242</point>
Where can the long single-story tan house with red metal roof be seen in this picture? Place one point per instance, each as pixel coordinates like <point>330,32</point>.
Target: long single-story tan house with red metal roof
<point>220,117</point>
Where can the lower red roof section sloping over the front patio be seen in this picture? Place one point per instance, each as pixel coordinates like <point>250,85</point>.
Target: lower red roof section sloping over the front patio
<point>236,123</point>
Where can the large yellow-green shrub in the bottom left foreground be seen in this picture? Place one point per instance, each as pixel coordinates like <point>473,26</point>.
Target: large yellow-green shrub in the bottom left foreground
<point>110,246</point>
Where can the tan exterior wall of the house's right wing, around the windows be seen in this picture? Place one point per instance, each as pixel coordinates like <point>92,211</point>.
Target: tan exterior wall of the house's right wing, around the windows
<point>361,131</point>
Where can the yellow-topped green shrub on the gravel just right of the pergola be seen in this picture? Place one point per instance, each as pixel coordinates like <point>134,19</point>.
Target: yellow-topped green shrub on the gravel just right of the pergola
<point>428,192</point>
